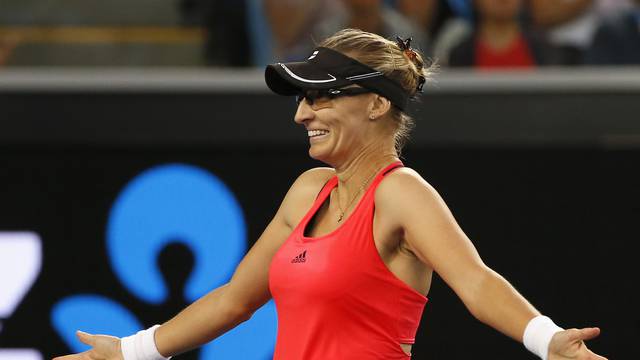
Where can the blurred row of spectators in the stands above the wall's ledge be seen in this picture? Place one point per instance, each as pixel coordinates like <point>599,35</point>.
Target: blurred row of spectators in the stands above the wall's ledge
<point>457,33</point>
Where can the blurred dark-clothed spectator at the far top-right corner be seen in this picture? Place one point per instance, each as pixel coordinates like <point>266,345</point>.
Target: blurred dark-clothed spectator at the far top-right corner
<point>617,40</point>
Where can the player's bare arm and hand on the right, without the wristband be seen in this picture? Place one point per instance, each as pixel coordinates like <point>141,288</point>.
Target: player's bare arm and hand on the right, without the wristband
<point>434,236</point>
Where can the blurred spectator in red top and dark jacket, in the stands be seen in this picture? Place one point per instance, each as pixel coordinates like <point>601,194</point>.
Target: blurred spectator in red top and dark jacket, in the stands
<point>499,40</point>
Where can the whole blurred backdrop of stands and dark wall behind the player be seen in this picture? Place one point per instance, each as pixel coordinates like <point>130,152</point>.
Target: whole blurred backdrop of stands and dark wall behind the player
<point>141,155</point>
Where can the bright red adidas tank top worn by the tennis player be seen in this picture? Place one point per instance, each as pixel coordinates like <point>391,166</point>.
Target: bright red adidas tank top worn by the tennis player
<point>335,297</point>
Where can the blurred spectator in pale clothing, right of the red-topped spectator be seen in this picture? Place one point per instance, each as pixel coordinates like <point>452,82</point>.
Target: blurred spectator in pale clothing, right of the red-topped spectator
<point>571,24</point>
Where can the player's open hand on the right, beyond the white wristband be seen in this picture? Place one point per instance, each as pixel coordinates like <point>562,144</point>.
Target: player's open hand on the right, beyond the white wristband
<point>569,344</point>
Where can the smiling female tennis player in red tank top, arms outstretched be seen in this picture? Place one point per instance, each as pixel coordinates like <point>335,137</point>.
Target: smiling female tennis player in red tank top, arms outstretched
<point>349,255</point>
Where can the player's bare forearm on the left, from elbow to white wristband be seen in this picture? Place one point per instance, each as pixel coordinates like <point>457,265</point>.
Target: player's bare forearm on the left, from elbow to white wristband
<point>204,320</point>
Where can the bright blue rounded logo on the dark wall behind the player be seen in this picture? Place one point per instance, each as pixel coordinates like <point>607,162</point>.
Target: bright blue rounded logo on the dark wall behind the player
<point>163,205</point>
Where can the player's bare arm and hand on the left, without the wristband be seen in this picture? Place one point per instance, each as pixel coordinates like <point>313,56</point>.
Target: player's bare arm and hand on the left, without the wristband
<point>229,305</point>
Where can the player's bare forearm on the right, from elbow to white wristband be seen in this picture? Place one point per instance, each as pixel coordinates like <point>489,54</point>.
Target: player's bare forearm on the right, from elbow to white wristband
<point>499,305</point>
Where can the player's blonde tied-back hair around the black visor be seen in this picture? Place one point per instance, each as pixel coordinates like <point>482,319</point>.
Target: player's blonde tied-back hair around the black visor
<point>387,57</point>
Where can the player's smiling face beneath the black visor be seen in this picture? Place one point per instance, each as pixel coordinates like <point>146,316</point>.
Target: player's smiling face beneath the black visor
<point>339,128</point>
